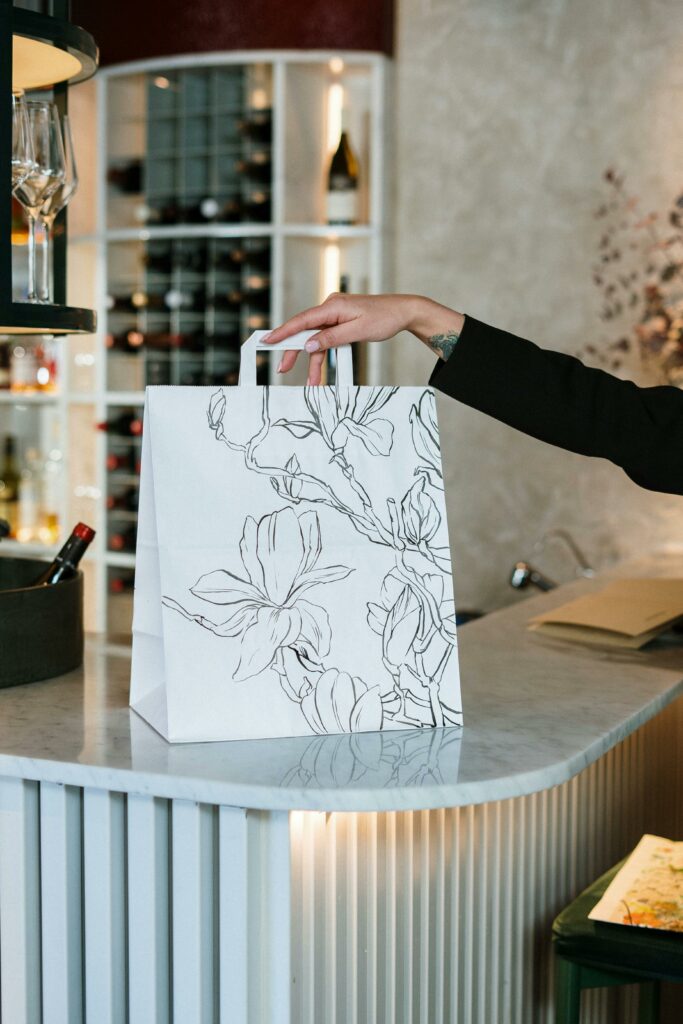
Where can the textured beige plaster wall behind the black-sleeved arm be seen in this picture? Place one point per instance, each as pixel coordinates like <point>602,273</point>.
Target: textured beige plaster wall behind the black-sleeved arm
<point>508,113</point>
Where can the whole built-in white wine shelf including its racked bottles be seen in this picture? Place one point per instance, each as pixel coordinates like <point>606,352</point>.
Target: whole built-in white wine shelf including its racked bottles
<point>211,222</point>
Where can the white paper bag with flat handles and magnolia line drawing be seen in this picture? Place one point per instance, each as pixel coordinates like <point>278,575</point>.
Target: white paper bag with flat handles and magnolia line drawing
<point>293,573</point>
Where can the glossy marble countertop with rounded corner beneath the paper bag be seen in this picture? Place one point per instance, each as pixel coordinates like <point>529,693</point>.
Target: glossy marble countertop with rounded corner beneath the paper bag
<point>537,712</point>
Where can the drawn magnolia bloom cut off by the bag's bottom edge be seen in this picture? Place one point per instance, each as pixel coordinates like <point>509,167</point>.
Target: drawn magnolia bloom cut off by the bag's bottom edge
<point>340,703</point>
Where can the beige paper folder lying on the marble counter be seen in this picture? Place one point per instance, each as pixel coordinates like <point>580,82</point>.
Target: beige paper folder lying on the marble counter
<point>626,614</point>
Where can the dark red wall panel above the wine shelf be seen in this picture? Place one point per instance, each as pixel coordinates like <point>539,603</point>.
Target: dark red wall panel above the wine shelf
<point>136,30</point>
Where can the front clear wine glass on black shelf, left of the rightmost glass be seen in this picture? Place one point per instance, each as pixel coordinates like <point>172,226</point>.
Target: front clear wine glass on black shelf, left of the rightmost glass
<point>49,152</point>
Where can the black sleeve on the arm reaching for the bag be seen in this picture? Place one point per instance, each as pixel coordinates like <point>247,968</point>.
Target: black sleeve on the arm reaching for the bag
<point>557,399</point>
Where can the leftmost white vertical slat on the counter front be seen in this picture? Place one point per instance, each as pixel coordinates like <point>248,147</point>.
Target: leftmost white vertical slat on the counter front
<point>20,903</point>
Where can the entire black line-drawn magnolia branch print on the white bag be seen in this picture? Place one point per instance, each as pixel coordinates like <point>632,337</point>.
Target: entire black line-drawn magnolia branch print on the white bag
<point>291,635</point>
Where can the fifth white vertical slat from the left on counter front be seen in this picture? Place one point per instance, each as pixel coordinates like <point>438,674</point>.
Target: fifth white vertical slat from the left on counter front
<point>192,881</point>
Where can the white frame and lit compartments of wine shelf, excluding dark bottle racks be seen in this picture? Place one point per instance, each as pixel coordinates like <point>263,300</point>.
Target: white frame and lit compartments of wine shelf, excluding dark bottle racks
<point>308,257</point>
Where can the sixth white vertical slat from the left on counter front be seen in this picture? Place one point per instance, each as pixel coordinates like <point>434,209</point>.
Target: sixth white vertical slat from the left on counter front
<point>234,915</point>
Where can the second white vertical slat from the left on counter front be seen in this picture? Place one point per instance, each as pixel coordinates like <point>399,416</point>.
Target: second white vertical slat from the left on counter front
<point>61,880</point>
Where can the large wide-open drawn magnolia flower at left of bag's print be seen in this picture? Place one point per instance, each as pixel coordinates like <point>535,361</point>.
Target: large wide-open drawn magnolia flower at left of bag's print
<point>280,556</point>
